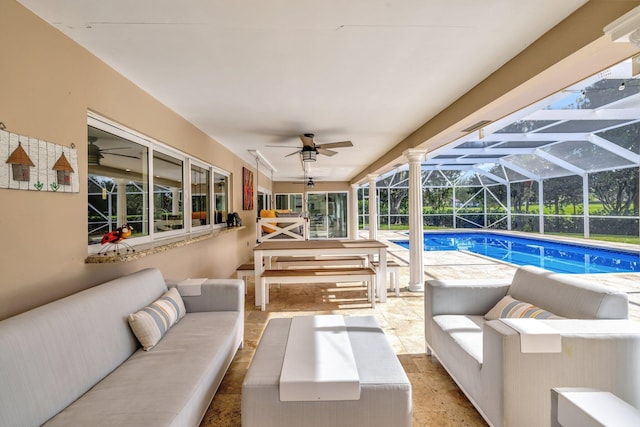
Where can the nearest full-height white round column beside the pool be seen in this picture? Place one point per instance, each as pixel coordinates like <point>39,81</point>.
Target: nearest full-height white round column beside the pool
<point>416,225</point>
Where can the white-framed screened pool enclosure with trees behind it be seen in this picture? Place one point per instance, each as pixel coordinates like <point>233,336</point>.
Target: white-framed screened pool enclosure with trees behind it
<point>568,164</point>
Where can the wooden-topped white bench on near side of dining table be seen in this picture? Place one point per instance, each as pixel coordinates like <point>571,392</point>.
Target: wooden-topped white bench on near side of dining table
<point>319,275</point>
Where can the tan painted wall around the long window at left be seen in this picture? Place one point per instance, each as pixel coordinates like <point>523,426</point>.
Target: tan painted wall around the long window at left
<point>49,85</point>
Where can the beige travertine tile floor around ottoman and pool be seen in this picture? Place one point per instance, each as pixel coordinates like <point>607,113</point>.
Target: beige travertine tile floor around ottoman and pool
<point>437,401</point>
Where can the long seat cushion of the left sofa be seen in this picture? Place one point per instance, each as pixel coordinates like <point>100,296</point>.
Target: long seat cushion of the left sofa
<point>169,386</point>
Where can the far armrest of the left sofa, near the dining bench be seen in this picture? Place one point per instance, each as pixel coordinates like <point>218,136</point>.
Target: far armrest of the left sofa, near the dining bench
<point>215,295</point>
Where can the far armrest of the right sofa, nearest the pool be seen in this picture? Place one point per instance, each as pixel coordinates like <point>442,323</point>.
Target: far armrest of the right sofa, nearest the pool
<point>472,297</point>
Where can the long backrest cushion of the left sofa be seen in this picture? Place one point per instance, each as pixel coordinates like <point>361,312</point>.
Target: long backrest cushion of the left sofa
<point>53,354</point>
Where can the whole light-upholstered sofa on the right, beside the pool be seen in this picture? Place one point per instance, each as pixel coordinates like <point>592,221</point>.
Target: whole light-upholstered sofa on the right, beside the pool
<point>599,348</point>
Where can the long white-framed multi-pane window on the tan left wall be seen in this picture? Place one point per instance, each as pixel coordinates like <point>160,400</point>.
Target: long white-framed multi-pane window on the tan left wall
<point>123,167</point>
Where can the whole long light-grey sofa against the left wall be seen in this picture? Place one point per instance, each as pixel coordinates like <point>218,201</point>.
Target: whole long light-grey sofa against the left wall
<point>76,362</point>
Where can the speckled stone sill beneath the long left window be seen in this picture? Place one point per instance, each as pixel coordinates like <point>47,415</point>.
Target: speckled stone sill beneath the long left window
<point>157,247</point>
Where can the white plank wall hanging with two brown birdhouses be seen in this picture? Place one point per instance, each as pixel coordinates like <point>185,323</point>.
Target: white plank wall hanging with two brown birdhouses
<point>36,165</point>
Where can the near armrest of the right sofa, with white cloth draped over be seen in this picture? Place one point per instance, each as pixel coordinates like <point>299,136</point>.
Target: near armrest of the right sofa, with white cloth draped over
<point>600,354</point>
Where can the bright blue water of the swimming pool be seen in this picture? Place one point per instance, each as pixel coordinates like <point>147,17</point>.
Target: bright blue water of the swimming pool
<point>551,255</point>
